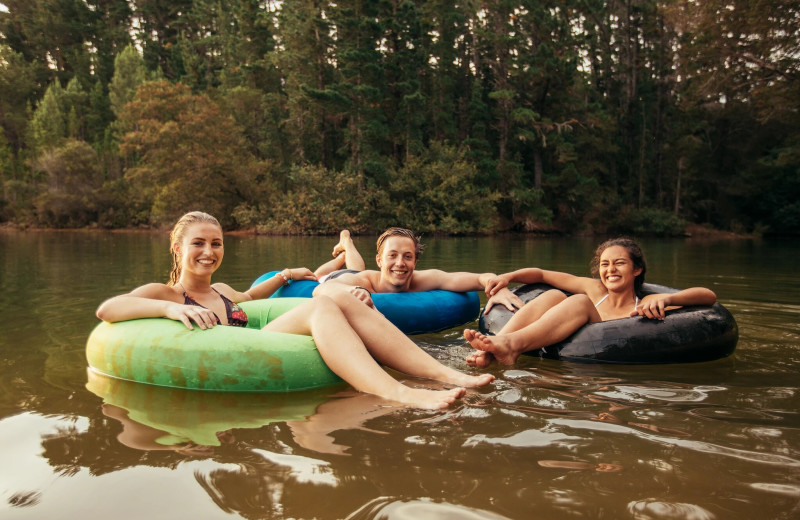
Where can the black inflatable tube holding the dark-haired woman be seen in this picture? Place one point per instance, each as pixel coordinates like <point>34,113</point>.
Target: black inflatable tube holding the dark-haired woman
<point>686,335</point>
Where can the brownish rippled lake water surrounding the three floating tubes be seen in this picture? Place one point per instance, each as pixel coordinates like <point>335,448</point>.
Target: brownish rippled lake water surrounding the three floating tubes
<point>548,439</point>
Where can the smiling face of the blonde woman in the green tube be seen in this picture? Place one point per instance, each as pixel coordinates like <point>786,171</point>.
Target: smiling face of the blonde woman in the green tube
<point>200,249</point>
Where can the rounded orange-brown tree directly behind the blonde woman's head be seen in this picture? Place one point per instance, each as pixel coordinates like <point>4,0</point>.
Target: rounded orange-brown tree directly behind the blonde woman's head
<point>184,154</point>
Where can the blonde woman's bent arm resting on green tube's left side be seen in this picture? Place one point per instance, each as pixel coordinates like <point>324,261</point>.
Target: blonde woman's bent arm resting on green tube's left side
<point>154,300</point>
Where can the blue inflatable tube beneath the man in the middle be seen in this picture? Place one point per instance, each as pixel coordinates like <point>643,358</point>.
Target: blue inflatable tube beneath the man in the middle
<point>412,312</point>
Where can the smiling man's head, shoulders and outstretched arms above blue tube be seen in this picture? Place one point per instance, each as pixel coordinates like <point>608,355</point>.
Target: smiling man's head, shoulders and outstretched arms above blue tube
<point>398,250</point>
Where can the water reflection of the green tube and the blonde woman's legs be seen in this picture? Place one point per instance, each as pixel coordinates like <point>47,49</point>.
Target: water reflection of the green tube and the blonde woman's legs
<point>194,423</point>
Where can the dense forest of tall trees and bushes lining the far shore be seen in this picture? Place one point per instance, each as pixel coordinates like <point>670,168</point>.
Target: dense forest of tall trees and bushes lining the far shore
<point>307,116</point>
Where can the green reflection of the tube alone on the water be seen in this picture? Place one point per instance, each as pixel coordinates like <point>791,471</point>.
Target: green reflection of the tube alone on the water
<point>199,416</point>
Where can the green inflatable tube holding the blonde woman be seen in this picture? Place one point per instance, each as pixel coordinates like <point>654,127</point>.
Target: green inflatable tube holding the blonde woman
<point>164,352</point>
